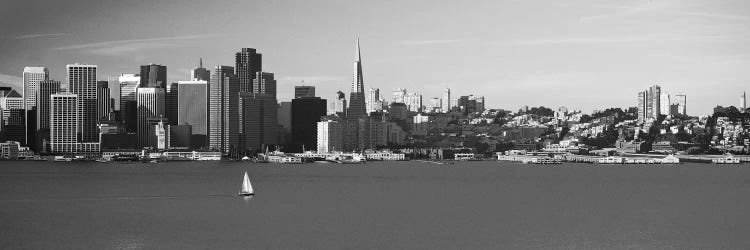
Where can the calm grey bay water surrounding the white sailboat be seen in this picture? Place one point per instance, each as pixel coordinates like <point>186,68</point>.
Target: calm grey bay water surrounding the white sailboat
<point>406,205</point>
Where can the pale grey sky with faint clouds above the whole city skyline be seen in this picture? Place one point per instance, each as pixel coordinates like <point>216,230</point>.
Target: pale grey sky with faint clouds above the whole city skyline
<point>579,54</point>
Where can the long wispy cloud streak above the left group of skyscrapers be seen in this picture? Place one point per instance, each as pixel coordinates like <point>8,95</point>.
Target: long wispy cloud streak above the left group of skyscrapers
<point>121,47</point>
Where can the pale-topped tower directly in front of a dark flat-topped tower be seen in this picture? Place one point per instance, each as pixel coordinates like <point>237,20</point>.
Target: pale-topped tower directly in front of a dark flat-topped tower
<point>150,105</point>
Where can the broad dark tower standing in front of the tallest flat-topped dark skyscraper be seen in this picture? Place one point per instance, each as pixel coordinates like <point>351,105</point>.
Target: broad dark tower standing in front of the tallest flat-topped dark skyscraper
<point>258,121</point>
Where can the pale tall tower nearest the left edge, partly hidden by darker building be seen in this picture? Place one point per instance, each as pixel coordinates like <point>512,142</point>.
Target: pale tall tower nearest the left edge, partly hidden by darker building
<point>31,78</point>
